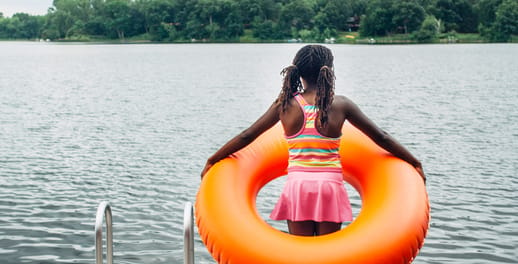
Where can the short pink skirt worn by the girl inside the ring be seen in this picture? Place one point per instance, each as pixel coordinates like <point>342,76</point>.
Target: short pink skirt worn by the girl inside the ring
<point>317,196</point>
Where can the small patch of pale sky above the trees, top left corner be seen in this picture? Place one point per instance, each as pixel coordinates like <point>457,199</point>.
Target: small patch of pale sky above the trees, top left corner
<point>33,7</point>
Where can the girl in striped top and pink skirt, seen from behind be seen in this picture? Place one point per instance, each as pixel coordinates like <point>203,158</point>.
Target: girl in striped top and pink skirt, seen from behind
<point>314,200</point>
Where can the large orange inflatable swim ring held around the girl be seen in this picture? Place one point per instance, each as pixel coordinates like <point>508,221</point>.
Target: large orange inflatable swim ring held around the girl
<point>390,227</point>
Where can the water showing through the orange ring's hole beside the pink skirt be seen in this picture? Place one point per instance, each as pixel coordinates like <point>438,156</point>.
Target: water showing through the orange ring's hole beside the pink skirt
<point>270,193</point>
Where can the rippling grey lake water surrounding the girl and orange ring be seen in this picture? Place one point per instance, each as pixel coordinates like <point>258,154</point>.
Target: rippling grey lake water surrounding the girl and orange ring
<point>133,125</point>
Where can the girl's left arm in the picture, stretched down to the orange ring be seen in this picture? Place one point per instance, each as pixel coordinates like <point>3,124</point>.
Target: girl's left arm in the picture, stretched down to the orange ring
<point>266,121</point>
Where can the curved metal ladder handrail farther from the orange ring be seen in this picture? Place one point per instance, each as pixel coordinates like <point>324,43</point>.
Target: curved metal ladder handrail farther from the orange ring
<point>104,209</point>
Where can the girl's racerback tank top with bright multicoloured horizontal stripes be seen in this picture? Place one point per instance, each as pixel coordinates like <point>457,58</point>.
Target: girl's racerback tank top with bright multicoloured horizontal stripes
<point>309,151</point>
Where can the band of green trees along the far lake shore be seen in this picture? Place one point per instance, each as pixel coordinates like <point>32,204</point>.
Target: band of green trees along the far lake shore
<point>263,20</point>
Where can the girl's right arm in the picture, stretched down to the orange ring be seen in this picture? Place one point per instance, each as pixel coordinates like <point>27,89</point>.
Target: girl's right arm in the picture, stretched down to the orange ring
<point>358,119</point>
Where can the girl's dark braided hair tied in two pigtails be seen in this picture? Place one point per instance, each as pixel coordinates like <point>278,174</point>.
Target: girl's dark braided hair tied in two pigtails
<point>314,63</point>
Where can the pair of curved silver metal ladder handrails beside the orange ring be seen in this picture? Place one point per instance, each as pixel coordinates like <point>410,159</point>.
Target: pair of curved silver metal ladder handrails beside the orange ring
<point>104,211</point>
